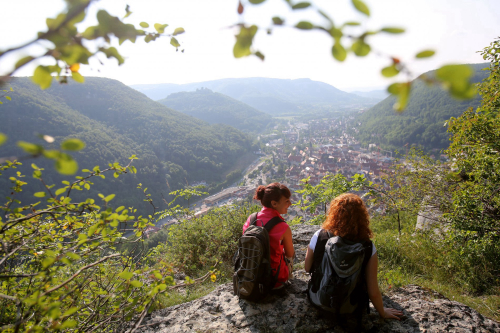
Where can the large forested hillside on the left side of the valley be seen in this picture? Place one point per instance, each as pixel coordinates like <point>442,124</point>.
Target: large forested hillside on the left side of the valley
<point>116,122</point>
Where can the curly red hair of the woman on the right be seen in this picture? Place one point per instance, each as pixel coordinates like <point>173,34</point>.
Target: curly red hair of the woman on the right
<point>348,218</point>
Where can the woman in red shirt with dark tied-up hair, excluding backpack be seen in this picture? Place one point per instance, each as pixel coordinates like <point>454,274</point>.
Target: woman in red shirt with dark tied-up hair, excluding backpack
<point>275,199</point>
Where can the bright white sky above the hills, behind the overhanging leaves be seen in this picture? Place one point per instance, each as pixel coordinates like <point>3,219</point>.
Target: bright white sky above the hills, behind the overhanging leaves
<point>456,29</point>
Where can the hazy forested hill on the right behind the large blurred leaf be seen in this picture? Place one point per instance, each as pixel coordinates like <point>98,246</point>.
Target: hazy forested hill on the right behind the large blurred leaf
<point>421,123</point>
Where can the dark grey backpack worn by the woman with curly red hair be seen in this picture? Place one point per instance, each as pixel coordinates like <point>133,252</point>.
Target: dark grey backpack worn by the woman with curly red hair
<point>337,281</point>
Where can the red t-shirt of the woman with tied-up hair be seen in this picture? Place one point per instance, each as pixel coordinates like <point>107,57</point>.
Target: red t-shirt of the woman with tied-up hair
<point>276,248</point>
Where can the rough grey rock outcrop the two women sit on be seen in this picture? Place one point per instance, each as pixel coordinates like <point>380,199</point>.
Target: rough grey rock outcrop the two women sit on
<point>289,310</point>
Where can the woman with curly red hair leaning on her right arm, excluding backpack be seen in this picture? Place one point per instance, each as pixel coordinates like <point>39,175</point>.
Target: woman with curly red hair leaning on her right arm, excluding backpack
<point>349,220</point>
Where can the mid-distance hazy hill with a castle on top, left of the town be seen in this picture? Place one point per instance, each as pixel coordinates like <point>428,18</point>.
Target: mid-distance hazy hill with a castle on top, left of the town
<point>216,108</point>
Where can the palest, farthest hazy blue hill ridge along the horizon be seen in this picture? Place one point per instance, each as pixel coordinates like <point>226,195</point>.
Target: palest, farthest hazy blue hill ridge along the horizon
<point>273,96</point>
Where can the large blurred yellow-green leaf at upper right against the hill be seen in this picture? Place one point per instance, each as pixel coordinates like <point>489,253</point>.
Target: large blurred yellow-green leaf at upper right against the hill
<point>456,79</point>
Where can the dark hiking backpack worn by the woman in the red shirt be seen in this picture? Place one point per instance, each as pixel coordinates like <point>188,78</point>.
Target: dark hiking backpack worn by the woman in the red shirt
<point>253,276</point>
